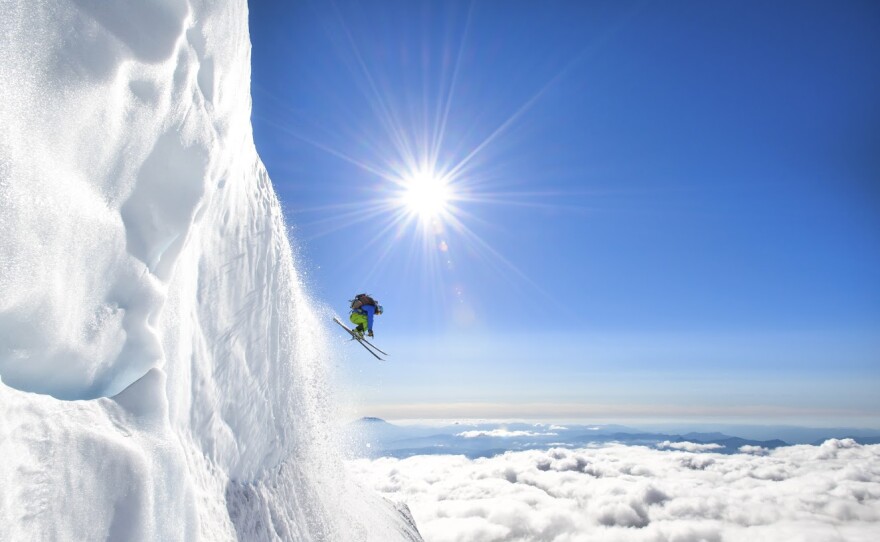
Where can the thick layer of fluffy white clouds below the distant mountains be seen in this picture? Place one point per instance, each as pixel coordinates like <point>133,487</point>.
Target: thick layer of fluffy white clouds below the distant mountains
<point>615,492</point>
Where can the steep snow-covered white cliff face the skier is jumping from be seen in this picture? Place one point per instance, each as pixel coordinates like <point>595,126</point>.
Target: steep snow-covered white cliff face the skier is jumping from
<point>162,366</point>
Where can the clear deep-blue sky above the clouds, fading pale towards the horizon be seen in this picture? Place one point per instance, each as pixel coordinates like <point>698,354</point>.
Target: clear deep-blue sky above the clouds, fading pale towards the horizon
<point>665,209</point>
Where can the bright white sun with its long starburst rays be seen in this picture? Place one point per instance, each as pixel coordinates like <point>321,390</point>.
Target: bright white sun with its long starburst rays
<point>424,194</point>
